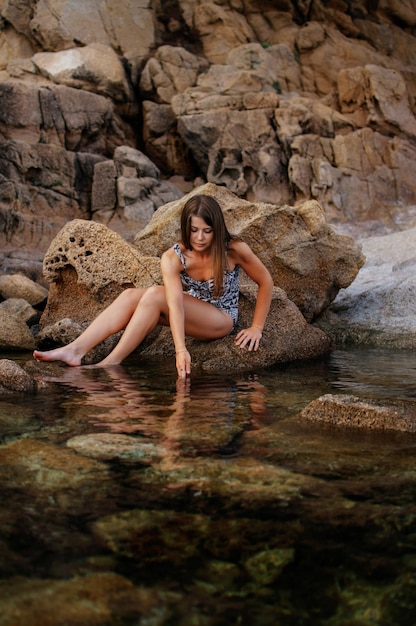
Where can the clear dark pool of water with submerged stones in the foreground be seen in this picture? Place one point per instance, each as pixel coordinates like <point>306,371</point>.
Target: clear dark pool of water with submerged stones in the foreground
<point>243,515</point>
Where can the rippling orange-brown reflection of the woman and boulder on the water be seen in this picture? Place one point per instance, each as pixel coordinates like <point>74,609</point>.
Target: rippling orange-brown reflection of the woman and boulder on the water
<point>204,416</point>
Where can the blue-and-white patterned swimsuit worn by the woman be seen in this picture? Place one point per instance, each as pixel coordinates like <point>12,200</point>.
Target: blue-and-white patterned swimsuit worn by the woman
<point>204,289</point>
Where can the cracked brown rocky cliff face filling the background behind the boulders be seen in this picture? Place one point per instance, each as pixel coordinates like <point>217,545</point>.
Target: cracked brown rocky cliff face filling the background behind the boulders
<point>111,109</point>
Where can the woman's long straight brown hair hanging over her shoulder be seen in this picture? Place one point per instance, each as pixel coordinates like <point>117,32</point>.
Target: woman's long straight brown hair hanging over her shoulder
<point>208,209</point>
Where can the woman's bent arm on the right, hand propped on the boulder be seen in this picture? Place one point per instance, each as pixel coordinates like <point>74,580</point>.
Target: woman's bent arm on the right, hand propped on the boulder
<point>254,268</point>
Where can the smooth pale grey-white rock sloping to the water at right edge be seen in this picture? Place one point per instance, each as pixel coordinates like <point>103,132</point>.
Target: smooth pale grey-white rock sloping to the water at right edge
<point>377,309</point>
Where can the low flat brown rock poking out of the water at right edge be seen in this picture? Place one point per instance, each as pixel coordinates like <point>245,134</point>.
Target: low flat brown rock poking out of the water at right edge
<point>349,411</point>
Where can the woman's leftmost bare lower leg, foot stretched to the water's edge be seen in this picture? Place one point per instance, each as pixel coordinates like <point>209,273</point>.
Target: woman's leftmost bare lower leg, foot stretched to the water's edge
<point>111,320</point>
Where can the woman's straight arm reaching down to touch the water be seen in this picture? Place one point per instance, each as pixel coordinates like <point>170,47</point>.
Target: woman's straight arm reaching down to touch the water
<point>171,268</point>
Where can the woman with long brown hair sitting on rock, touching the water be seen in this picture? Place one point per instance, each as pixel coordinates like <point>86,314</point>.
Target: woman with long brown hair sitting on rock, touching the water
<point>199,297</point>
